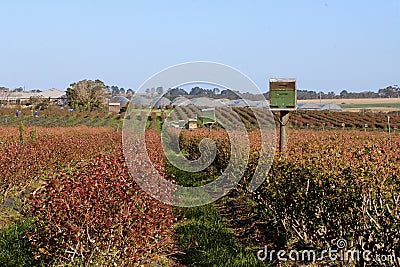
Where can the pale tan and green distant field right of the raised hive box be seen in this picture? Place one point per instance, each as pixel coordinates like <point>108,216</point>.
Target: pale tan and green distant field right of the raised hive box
<point>374,104</point>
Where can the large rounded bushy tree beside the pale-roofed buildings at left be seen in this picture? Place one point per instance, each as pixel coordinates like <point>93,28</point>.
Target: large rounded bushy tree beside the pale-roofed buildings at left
<point>87,94</point>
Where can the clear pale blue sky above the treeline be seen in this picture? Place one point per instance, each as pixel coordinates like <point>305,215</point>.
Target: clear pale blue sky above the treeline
<point>327,45</point>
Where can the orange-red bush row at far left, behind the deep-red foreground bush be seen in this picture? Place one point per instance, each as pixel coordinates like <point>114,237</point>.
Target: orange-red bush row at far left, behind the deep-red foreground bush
<point>22,165</point>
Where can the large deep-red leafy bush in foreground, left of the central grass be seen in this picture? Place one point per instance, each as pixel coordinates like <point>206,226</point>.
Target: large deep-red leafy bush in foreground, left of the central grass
<point>99,215</point>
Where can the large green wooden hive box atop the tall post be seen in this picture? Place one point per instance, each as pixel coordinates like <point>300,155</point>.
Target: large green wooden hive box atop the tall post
<point>282,94</point>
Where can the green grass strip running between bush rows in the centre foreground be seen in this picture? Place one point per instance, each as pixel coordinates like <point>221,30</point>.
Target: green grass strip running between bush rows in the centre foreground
<point>203,235</point>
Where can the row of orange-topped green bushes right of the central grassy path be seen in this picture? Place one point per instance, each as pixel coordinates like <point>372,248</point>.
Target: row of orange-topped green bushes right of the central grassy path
<point>327,186</point>
